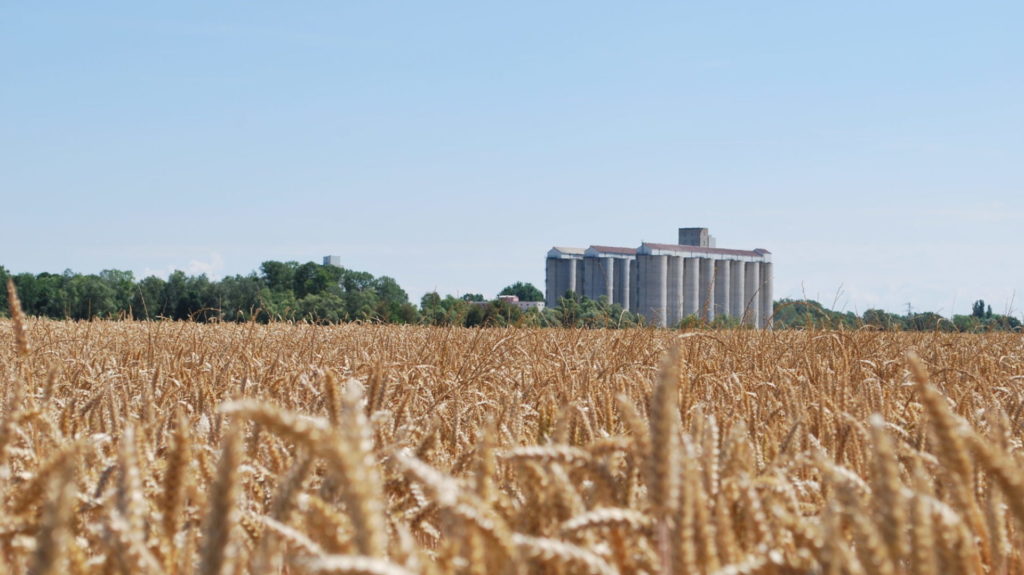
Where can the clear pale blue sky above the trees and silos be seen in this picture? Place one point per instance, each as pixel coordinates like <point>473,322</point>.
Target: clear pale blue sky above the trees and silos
<point>876,148</point>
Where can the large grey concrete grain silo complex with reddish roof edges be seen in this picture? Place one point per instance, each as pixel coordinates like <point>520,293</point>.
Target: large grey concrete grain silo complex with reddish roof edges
<point>667,283</point>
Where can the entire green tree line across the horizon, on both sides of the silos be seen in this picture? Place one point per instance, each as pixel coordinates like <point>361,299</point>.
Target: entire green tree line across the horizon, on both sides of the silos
<point>326,294</point>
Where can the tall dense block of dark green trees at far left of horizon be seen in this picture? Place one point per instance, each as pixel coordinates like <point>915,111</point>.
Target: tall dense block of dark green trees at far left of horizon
<point>281,291</point>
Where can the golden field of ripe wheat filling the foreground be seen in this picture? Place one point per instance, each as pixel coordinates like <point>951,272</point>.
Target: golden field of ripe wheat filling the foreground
<point>167,448</point>
